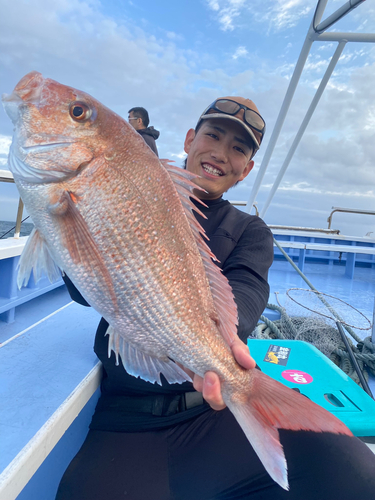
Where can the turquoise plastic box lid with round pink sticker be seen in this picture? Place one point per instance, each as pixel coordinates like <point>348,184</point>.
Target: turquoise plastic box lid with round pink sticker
<point>300,365</point>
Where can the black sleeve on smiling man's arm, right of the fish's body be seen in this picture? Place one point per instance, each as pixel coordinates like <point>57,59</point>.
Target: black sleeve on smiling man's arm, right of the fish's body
<point>247,270</point>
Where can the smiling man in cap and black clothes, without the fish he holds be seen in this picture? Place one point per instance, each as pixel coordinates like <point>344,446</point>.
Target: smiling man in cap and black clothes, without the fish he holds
<point>197,453</point>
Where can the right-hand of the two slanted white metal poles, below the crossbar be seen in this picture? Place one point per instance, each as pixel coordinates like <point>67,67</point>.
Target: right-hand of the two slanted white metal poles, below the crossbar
<point>304,124</point>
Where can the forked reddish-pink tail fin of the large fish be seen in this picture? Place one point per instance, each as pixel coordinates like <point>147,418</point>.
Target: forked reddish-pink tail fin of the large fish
<point>270,406</point>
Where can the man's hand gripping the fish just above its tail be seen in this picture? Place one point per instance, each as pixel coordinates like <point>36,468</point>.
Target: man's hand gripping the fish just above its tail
<point>210,386</point>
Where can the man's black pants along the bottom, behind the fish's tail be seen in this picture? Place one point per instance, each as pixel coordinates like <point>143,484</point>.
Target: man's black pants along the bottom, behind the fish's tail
<point>209,458</point>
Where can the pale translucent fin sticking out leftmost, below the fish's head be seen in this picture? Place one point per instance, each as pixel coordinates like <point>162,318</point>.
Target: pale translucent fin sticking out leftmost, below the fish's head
<point>37,258</point>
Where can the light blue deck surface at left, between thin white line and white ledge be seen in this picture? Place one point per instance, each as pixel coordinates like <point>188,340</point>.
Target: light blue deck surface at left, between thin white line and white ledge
<point>38,371</point>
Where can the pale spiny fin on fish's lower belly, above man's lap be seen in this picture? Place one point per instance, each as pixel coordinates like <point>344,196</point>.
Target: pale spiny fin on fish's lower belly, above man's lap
<point>140,364</point>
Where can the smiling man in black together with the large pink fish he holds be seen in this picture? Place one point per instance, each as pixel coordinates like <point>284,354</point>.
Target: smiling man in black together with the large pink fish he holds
<point>169,310</point>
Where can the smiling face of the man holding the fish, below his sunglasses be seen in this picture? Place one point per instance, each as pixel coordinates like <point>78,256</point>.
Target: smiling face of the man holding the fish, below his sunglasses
<point>220,153</point>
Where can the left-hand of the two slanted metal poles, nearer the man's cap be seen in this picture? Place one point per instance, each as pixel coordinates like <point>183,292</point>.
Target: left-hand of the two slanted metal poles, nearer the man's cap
<point>285,107</point>
